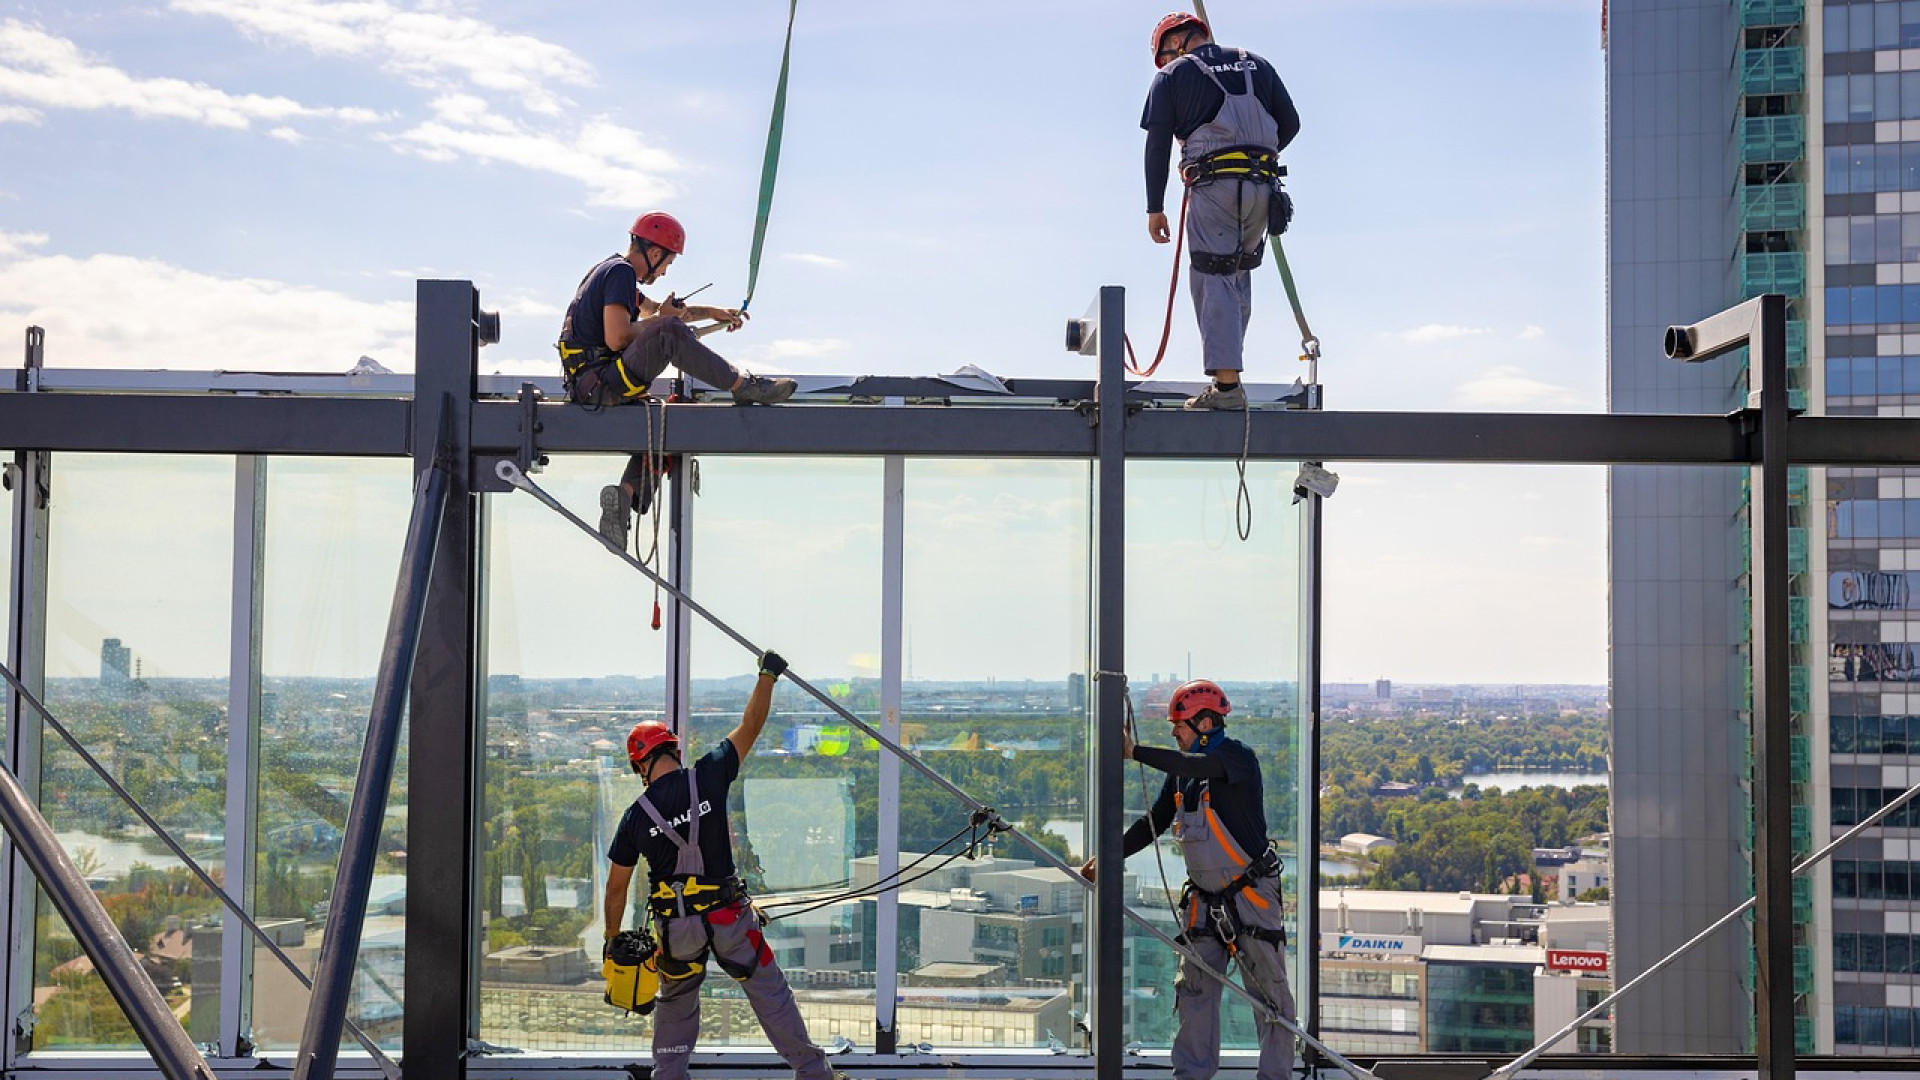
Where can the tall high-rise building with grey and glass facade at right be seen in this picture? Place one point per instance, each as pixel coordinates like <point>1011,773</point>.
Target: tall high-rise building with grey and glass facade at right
<point>1764,147</point>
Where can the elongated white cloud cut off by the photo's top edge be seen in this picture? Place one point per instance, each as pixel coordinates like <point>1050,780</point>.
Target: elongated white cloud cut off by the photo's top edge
<point>429,49</point>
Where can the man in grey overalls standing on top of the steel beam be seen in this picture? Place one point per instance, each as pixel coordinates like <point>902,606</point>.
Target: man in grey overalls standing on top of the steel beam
<point>1232,116</point>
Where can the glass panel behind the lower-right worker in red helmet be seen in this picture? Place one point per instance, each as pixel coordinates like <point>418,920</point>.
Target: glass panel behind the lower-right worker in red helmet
<point>1205,604</point>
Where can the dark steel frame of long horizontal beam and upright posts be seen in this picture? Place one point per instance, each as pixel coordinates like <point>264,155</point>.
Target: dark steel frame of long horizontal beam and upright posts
<point>1093,420</point>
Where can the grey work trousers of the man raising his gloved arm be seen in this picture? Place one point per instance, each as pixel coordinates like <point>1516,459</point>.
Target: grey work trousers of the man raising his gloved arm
<point>677,1012</point>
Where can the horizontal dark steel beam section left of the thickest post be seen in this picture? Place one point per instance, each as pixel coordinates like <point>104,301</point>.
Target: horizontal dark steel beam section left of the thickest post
<point>170,424</point>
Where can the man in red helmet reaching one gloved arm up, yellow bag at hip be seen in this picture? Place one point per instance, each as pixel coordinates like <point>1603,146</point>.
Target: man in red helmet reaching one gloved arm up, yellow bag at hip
<point>698,904</point>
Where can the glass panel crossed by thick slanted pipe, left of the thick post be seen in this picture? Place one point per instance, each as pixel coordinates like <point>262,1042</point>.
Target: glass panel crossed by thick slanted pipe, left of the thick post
<point>331,562</point>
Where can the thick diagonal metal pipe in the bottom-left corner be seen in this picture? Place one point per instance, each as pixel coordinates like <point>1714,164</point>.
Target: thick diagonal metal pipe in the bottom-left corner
<point>116,962</point>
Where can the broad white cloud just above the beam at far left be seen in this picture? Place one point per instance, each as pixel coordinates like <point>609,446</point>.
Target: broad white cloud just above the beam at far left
<point>193,322</point>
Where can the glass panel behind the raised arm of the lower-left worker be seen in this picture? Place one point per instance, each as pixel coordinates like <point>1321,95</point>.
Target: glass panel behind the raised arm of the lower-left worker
<point>790,554</point>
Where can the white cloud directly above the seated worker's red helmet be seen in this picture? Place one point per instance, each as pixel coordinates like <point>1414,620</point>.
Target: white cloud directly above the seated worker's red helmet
<point>617,166</point>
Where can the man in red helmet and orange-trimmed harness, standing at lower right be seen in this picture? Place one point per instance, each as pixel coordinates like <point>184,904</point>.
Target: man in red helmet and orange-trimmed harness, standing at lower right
<point>1232,904</point>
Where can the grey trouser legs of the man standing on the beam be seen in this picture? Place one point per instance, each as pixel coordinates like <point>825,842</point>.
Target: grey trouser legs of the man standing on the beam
<point>1224,216</point>
